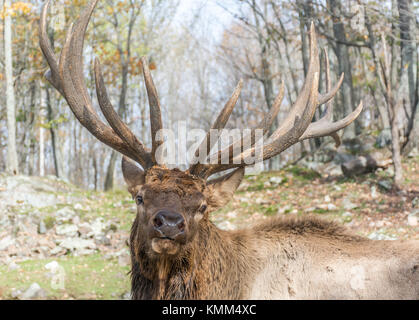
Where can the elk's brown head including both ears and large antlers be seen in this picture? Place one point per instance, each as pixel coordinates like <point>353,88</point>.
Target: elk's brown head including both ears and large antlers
<point>173,206</point>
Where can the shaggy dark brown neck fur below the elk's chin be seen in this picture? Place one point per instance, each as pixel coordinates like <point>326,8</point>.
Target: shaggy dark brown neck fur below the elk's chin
<point>197,273</point>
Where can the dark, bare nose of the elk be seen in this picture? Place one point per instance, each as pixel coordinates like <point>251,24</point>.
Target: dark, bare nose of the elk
<point>169,224</point>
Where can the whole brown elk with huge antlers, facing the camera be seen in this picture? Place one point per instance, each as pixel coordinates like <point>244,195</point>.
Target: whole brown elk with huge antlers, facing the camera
<point>178,253</point>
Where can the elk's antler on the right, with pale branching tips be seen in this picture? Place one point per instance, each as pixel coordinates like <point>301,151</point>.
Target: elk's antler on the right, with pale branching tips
<point>297,126</point>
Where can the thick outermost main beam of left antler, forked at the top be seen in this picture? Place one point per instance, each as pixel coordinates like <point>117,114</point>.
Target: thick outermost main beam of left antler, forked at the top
<point>67,77</point>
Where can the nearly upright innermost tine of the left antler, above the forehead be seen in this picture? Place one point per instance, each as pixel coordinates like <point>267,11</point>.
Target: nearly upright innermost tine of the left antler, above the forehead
<point>155,110</point>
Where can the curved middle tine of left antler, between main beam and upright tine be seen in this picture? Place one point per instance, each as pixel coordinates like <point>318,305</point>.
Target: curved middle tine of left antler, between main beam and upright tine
<point>115,121</point>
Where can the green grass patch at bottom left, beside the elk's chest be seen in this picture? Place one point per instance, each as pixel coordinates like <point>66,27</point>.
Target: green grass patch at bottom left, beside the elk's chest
<point>86,277</point>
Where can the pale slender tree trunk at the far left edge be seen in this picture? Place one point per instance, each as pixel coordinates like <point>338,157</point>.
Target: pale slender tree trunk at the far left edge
<point>12,162</point>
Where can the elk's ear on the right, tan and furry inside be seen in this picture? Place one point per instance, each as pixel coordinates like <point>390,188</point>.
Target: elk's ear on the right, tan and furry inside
<point>223,188</point>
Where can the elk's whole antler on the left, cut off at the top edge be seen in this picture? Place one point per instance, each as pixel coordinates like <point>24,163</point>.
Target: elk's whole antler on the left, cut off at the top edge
<point>66,76</point>
